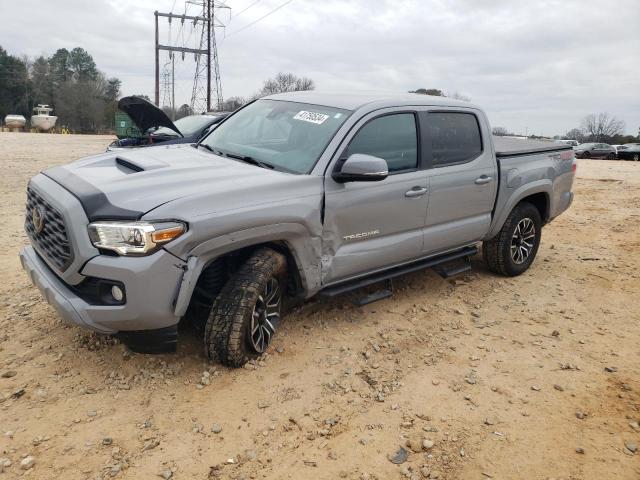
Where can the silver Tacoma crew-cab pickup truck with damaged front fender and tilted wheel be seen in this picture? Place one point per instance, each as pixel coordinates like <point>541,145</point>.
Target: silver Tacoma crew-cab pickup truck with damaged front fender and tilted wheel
<point>293,195</point>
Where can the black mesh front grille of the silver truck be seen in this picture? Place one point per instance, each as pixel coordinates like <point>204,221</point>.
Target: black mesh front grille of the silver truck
<point>45,227</point>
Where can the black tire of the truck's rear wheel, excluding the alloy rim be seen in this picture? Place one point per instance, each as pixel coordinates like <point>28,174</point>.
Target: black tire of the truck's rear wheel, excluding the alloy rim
<point>496,252</point>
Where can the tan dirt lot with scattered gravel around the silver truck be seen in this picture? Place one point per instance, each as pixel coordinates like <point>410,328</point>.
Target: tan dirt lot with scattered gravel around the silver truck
<point>534,377</point>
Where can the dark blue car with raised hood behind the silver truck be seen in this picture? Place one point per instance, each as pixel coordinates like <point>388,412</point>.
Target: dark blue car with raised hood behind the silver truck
<point>157,127</point>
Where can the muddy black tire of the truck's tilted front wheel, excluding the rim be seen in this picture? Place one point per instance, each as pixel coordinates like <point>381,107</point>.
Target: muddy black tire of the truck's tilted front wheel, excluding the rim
<point>227,337</point>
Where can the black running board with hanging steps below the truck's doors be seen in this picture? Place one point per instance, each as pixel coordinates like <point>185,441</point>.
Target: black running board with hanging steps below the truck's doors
<point>351,285</point>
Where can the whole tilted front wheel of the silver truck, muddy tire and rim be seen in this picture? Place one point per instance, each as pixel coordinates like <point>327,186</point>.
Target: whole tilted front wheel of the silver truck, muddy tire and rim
<point>247,312</point>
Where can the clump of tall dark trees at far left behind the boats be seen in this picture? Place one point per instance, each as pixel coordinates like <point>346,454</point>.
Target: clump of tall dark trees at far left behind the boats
<point>84,99</point>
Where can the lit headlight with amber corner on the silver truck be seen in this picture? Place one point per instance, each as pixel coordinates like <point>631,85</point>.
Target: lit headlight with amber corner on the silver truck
<point>134,238</point>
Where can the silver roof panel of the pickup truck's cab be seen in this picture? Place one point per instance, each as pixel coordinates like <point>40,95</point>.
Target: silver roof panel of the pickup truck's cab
<point>355,101</point>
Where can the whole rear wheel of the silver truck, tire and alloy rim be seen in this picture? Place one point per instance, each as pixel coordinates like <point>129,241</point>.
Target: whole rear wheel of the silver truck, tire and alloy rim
<point>513,250</point>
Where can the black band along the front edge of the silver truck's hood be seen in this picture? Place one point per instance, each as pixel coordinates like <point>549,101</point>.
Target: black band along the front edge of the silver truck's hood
<point>94,202</point>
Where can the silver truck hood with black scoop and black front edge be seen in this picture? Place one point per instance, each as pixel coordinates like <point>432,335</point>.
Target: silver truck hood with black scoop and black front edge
<point>126,185</point>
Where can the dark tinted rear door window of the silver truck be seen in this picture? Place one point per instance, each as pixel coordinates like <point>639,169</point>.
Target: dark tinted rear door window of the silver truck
<point>455,137</point>
